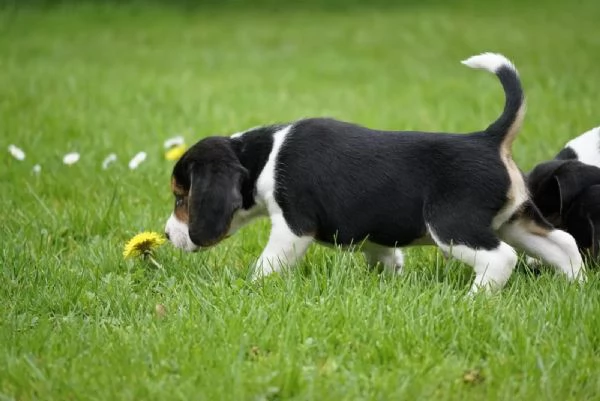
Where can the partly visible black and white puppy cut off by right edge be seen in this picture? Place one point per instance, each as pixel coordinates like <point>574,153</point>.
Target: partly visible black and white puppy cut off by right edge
<point>567,191</point>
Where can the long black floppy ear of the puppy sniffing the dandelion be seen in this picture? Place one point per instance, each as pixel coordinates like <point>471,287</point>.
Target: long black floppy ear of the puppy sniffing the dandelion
<point>214,196</point>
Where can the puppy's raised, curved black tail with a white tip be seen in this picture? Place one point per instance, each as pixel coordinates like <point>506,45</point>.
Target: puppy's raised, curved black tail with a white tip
<point>506,127</point>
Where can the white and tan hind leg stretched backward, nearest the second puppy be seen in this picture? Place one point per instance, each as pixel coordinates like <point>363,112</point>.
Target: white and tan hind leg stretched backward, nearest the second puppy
<point>530,232</point>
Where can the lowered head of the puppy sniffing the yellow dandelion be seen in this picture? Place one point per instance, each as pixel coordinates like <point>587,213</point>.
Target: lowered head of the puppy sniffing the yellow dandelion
<point>206,183</point>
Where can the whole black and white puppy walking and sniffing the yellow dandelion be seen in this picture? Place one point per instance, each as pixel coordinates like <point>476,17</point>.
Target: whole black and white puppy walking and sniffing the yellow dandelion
<point>338,183</point>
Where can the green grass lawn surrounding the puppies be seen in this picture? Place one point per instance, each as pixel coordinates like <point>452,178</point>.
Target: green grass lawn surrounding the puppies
<point>77,322</point>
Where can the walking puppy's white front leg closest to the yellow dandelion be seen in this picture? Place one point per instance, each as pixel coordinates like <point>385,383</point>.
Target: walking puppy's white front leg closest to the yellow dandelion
<point>284,248</point>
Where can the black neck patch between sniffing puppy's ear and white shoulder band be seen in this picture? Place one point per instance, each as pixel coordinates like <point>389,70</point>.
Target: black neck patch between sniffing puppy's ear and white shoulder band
<point>252,149</point>
